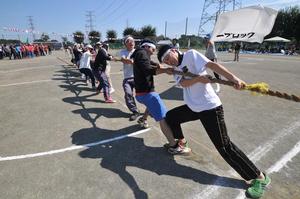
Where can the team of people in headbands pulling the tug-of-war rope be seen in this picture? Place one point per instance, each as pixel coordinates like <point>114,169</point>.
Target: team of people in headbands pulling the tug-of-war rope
<point>201,101</point>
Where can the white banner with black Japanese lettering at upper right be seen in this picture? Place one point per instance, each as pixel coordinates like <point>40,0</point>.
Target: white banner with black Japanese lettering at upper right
<point>250,24</point>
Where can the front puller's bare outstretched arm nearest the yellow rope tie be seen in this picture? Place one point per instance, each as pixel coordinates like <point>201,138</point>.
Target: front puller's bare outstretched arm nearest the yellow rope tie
<point>218,68</point>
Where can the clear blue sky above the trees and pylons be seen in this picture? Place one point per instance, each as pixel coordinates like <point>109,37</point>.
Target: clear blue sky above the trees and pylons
<point>67,16</point>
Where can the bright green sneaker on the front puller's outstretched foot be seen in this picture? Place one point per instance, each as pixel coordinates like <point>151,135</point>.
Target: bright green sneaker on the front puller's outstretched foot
<point>257,187</point>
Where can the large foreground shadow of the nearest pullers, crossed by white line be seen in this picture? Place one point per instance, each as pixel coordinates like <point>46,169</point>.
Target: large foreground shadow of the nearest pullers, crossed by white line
<point>132,152</point>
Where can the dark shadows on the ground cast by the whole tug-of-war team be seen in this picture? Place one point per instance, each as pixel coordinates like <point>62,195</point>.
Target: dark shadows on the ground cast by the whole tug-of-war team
<point>117,155</point>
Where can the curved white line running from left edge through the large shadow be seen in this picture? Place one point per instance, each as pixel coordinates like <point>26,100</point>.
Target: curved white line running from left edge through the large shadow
<point>73,147</point>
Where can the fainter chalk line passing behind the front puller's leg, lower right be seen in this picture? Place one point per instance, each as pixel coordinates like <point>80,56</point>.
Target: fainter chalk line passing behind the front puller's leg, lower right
<point>255,156</point>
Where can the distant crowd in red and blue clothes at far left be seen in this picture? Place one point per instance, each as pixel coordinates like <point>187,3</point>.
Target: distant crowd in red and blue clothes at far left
<point>20,51</point>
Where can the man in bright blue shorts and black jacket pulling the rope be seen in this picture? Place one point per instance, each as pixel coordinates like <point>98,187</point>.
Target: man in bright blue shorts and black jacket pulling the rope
<point>144,69</point>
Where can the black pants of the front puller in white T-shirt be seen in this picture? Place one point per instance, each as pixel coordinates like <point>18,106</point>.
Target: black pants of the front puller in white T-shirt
<point>214,124</point>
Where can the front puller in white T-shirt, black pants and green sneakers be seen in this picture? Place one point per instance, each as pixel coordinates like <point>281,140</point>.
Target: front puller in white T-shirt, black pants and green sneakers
<point>202,103</point>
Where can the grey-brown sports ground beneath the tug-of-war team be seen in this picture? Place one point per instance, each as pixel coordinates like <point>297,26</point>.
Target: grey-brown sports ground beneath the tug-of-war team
<point>58,139</point>
